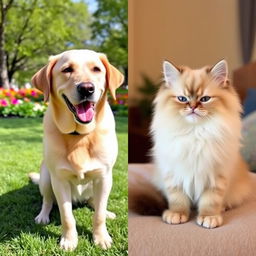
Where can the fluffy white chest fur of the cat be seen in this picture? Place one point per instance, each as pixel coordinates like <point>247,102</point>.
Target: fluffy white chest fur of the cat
<point>191,159</point>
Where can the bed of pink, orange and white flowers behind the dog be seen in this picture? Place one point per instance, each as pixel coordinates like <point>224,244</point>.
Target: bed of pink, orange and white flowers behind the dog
<point>29,103</point>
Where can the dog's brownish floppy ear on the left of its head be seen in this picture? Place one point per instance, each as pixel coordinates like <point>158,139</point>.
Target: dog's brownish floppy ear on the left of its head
<point>42,79</point>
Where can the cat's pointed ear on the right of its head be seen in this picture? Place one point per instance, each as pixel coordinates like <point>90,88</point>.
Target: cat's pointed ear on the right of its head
<point>220,72</point>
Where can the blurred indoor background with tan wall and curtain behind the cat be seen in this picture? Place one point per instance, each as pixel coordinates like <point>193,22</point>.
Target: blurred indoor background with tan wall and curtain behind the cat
<point>193,33</point>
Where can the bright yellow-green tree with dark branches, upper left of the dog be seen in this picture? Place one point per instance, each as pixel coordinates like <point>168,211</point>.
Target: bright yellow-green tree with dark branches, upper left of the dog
<point>34,29</point>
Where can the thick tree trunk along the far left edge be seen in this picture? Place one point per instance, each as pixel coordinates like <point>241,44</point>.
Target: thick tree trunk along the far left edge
<point>4,81</point>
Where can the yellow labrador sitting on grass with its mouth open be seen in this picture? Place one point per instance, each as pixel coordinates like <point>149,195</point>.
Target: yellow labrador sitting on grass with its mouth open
<point>80,144</point>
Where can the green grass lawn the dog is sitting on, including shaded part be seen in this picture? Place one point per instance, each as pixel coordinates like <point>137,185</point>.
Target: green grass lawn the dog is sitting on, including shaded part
<point>20,200</point>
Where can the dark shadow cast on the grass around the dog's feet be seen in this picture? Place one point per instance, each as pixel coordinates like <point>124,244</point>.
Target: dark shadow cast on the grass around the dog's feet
<point>19,209</point>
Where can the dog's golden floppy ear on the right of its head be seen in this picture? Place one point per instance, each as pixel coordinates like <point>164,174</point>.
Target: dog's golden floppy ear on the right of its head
<point>114,77</point>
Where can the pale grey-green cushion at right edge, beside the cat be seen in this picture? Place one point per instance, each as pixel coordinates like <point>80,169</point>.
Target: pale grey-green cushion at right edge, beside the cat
<point>249,140</point>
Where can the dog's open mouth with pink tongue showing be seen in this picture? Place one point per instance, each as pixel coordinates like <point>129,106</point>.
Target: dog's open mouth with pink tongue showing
<point>83,112</point>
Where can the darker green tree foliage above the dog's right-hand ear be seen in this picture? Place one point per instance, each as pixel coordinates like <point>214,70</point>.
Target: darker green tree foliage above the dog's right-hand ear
<point>110,30</point>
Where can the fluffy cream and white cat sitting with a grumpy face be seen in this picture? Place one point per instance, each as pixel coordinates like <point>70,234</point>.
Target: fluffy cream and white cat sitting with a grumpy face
<point>196,134</point>
